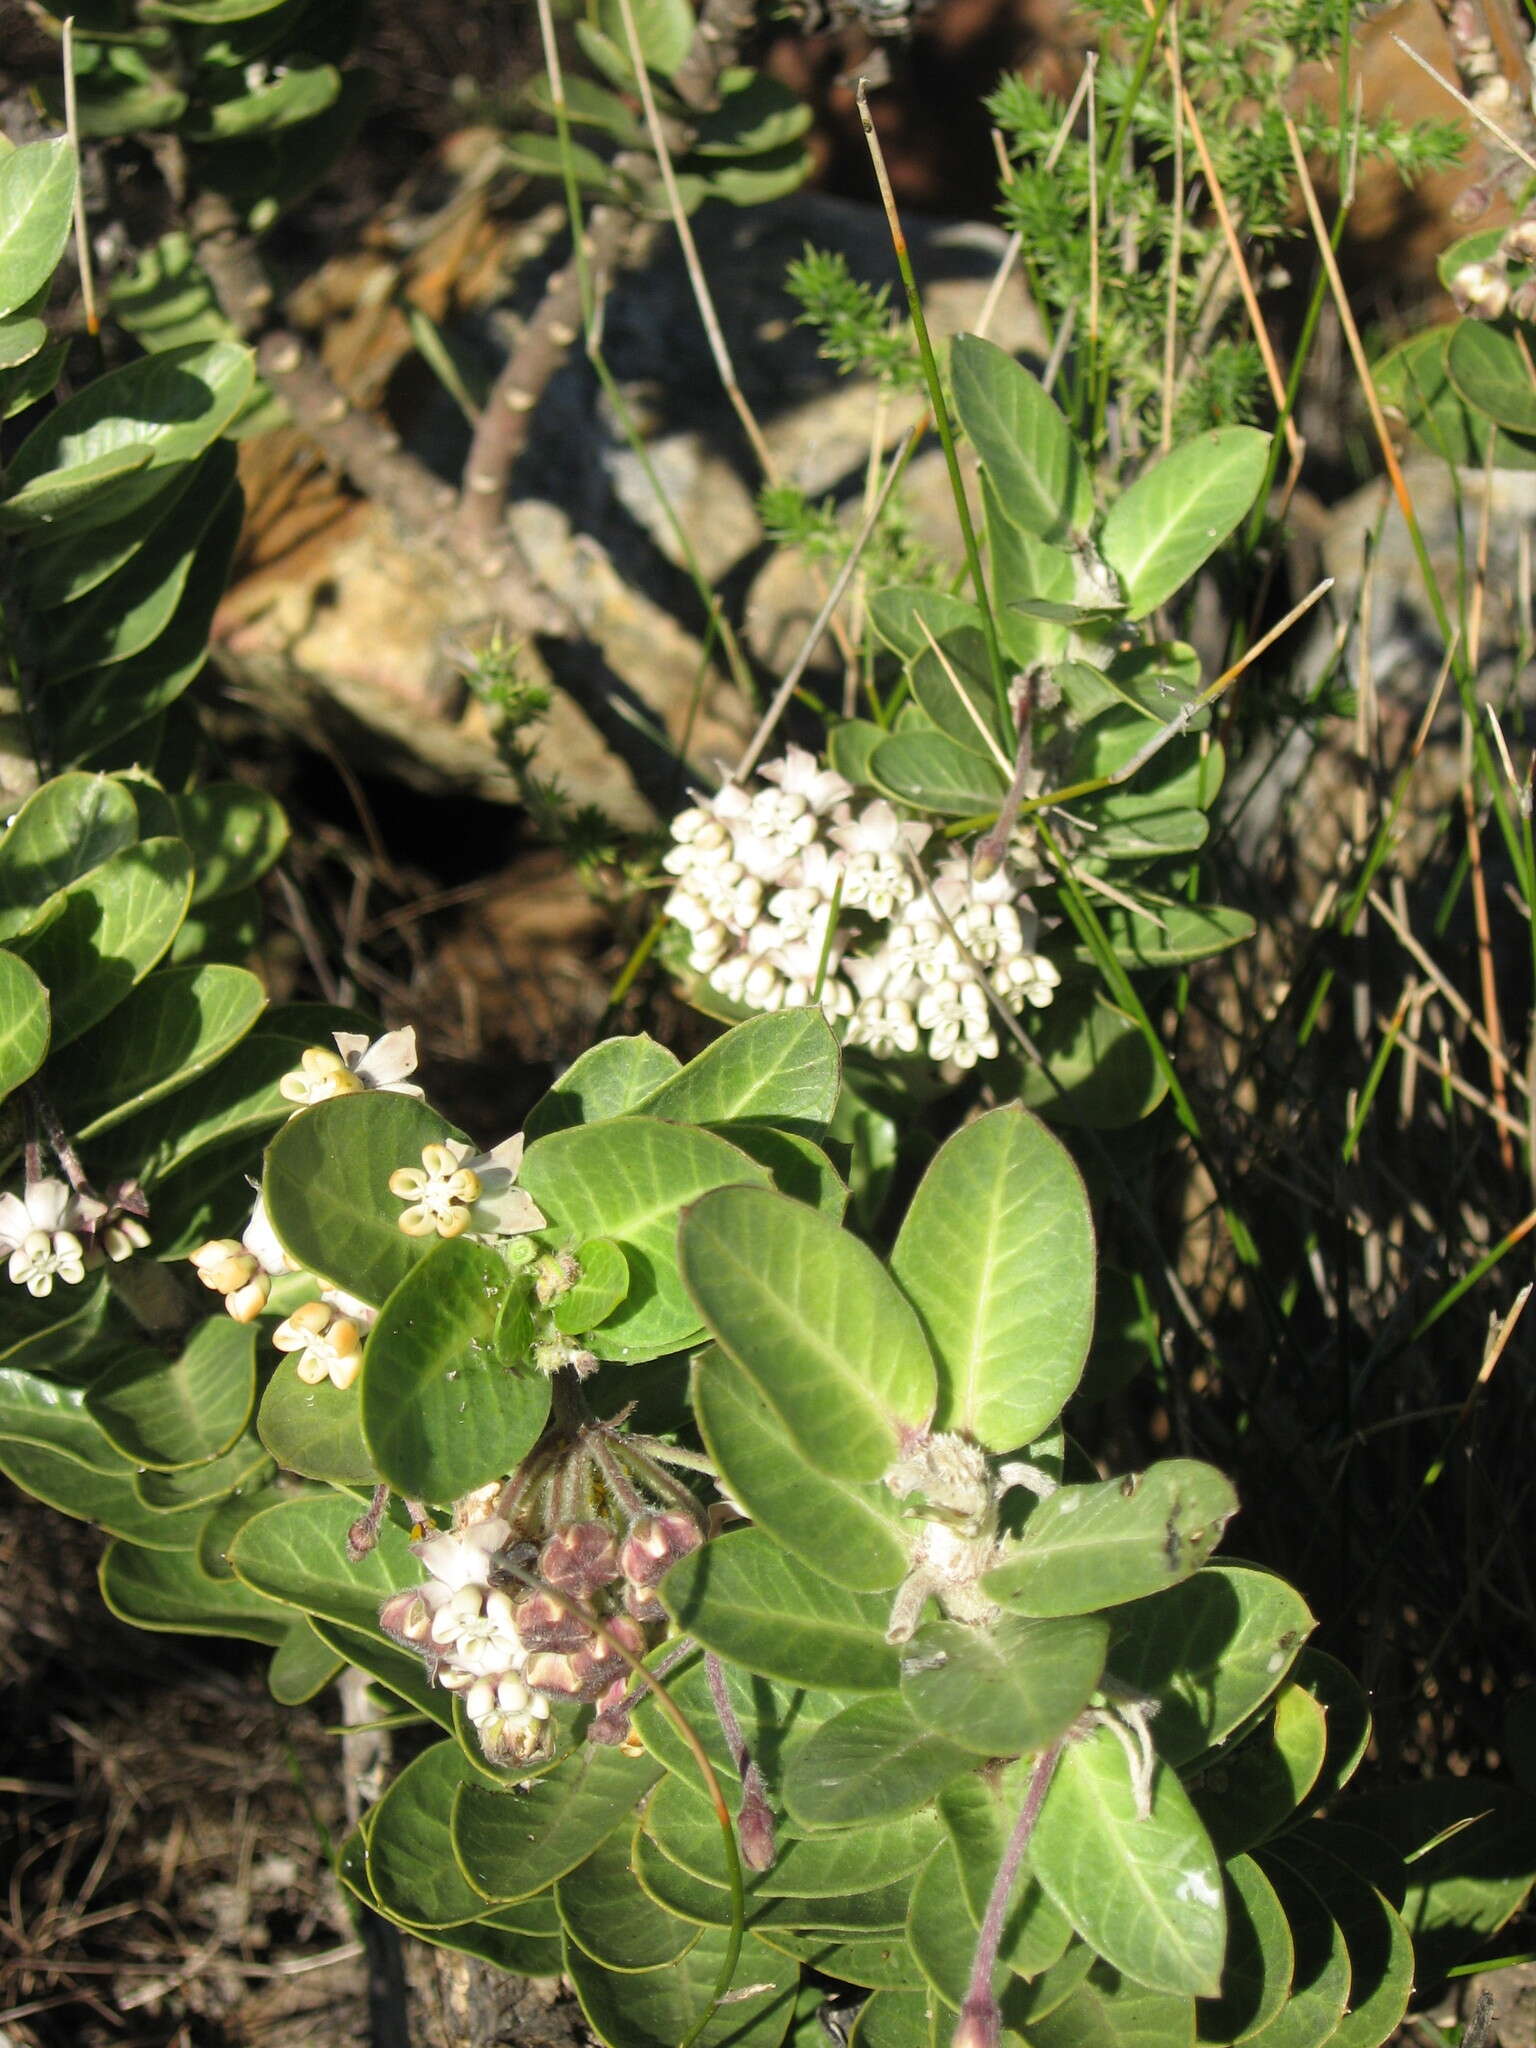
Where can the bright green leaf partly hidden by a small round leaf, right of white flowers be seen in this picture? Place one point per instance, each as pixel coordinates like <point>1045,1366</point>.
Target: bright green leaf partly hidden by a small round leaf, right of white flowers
<point>630,1181</point>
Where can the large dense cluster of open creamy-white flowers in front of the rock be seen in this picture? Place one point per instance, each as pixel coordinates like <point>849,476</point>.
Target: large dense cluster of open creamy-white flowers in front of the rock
<point>790,888</point>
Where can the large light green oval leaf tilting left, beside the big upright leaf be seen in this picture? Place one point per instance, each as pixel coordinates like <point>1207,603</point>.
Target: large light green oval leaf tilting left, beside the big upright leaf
<point>816,1322</point>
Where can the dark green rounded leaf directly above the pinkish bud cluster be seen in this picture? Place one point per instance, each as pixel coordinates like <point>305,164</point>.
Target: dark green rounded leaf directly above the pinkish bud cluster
<point>441,1412</point>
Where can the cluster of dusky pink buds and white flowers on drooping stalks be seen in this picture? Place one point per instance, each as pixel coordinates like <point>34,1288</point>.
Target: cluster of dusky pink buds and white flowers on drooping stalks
<point>515,1619</point>
